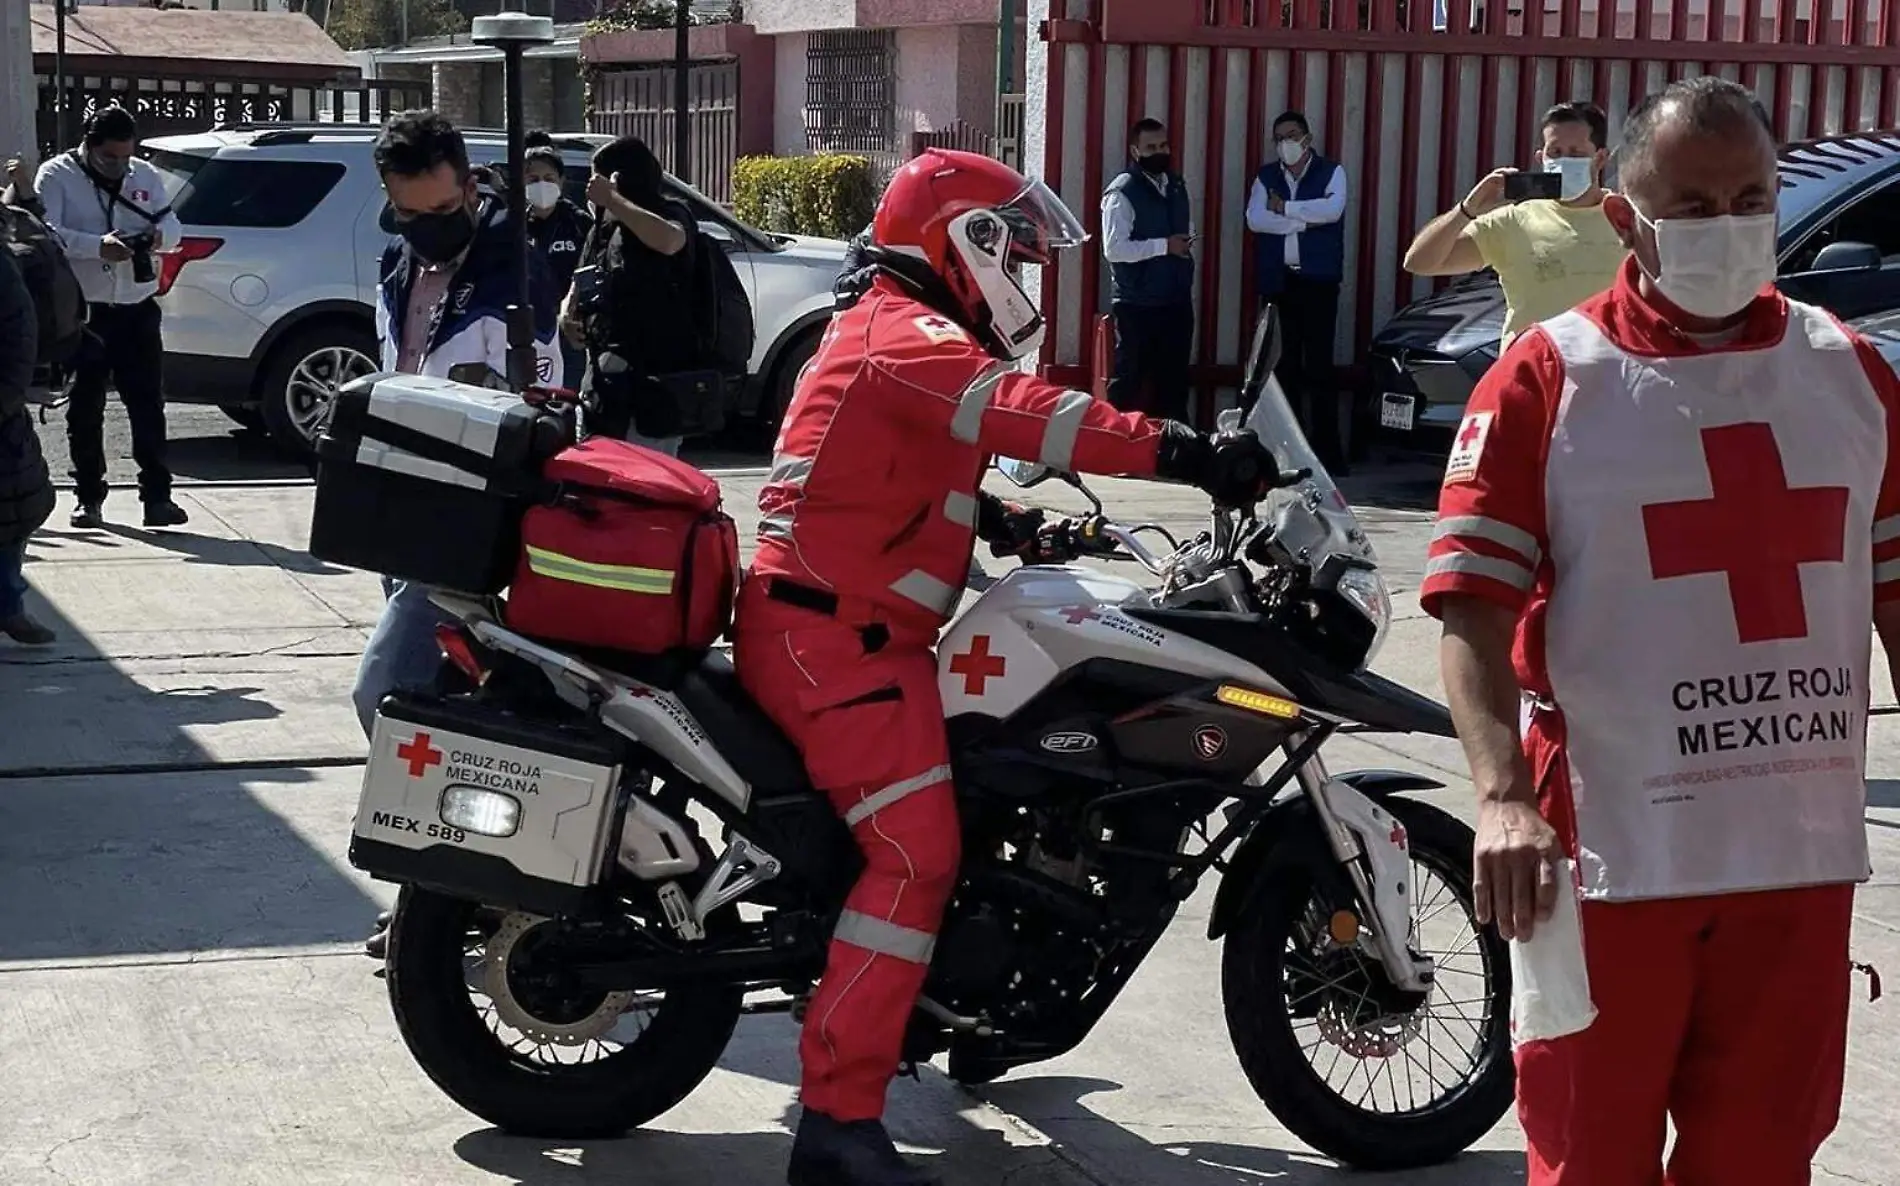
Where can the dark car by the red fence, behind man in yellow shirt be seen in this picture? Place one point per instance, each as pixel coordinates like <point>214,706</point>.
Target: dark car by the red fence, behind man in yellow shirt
<point>1840,248</point>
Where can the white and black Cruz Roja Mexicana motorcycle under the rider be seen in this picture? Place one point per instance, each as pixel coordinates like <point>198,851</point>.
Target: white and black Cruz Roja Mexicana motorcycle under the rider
<point>1112,746</point>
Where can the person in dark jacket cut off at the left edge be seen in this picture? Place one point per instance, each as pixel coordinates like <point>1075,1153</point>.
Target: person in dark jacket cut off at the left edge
<point>26,486</point>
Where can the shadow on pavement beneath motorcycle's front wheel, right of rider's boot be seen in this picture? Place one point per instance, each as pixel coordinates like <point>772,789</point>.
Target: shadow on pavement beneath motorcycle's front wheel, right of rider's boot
<point>1207,1162</point>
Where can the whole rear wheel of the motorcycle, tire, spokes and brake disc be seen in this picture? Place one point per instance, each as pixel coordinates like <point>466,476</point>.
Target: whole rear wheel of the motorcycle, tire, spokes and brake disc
<point>541,1058</point>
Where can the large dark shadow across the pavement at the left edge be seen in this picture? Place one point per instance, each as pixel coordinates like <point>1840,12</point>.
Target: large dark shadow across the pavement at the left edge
<point>109,852</point>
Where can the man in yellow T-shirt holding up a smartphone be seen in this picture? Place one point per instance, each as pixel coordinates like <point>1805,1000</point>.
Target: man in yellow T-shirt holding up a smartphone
<point>1544,231</point>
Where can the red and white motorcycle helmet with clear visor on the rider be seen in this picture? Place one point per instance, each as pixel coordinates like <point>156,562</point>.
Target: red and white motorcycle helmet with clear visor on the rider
<point>976,223</point>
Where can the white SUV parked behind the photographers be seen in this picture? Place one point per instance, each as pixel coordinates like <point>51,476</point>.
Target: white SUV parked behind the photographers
<point>271,296</point>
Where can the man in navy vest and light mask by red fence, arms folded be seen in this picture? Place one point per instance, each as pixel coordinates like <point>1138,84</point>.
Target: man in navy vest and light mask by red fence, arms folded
<point>1299,218</point>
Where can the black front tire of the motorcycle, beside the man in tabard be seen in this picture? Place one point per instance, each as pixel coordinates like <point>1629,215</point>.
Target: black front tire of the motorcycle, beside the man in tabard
<point>1255,997</point>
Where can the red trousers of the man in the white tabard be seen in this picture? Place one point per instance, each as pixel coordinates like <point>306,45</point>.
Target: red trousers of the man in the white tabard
<point>1724,1014</point>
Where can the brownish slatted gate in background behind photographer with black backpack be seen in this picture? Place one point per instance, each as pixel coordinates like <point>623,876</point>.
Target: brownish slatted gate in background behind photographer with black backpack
<point>639,102</point>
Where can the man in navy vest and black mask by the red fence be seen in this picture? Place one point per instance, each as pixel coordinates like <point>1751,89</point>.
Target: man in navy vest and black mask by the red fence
<point>1149,242</point>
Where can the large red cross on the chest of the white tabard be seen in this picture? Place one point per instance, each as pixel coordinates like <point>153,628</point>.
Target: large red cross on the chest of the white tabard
<point>1755,529</point>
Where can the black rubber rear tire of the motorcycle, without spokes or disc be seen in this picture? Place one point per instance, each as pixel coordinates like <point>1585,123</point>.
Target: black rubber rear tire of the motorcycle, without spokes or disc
<point>453,1044</point>
